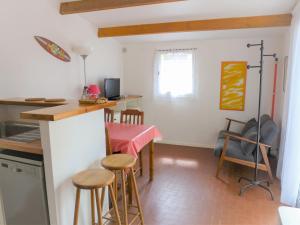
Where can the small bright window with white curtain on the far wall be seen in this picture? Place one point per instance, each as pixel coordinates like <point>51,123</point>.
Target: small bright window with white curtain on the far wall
<point>174,73</point>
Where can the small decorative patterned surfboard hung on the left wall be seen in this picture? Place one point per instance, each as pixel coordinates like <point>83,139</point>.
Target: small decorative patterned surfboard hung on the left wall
<point>53,49</point>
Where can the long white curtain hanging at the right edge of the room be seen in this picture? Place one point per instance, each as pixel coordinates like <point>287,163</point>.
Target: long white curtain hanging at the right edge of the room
<point>290,175</point>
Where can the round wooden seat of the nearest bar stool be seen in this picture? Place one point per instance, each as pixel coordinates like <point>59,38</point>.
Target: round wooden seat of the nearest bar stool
<point>93,178</point>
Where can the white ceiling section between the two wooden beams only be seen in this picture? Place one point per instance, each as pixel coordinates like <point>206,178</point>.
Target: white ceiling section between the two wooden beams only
<point>188,10</point>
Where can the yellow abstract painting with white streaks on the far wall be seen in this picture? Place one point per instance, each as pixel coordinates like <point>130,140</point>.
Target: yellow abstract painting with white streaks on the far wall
<point>233,85</point>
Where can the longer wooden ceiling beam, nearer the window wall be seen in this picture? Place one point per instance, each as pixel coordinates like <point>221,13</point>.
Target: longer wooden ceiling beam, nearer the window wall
<point>198,25</point>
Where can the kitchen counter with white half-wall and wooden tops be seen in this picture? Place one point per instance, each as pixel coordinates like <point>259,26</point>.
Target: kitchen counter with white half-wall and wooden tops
<point>72,139</point>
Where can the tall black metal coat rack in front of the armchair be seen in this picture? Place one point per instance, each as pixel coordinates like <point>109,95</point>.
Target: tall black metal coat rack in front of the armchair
<point>255,182</point>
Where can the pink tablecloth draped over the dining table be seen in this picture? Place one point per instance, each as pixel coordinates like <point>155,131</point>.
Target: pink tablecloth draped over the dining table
<point>130,138</point>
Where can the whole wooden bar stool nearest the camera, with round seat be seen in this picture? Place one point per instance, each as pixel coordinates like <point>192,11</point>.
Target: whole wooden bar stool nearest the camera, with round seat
<point>93,180</point>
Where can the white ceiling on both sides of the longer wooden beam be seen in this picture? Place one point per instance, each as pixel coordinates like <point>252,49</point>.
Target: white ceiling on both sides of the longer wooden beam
<point>193,10</point>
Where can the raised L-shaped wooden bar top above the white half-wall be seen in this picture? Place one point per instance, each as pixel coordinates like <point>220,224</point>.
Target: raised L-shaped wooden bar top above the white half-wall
<point>55,111</point>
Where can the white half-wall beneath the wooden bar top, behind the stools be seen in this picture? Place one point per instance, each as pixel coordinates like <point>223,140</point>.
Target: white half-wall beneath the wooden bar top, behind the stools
<point>71,145</point>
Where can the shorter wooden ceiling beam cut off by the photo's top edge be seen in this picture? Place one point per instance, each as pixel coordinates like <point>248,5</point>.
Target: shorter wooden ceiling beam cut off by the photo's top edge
<point>82,6</point>
